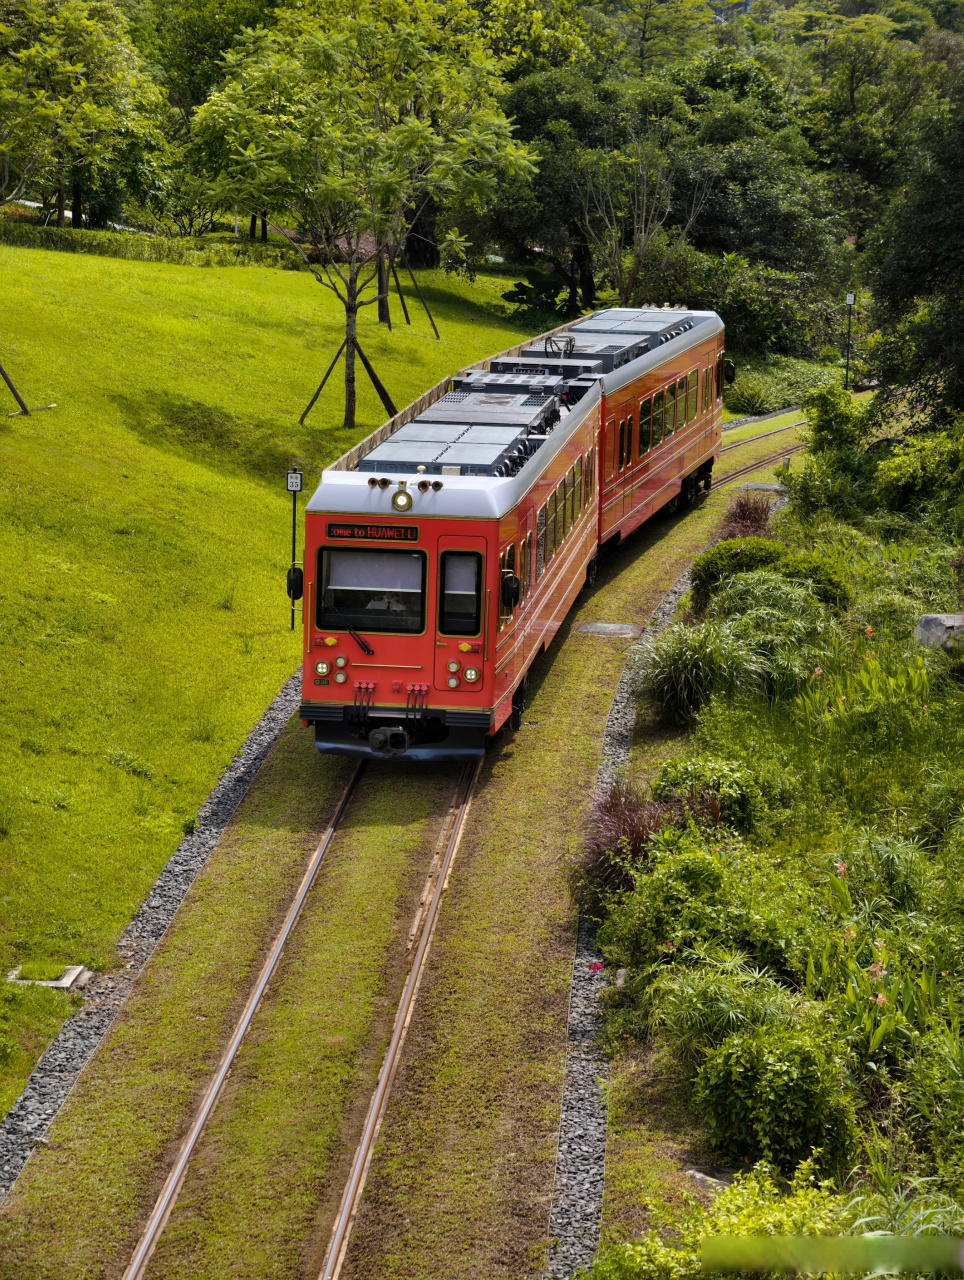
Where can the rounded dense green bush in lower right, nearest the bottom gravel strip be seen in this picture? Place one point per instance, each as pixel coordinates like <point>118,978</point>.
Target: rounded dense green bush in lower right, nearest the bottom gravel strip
<point>776,1095</point>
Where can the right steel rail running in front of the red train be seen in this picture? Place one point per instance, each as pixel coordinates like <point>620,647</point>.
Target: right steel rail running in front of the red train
<point>351,1197</point>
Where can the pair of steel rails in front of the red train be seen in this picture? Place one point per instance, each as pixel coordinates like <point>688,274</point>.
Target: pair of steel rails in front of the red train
<point>419,944</point>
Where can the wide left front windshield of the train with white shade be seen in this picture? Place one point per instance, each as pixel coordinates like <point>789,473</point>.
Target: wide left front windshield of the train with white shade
<point>372,591</point>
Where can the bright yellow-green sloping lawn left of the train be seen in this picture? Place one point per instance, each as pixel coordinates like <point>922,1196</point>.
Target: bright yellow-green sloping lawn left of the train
<point>143,550</point>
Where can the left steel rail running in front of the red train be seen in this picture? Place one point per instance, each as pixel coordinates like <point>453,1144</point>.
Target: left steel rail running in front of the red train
<point>172,1187</point>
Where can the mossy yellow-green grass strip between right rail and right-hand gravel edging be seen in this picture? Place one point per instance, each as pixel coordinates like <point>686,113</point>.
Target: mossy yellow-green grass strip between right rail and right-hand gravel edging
<point>462,1183</point>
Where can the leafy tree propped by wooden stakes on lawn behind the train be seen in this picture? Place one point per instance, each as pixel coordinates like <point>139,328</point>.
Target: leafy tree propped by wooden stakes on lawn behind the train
<point>350,129</point>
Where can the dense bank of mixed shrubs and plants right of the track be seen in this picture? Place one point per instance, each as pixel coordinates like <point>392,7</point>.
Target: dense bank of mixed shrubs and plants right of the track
<point>785,895</point>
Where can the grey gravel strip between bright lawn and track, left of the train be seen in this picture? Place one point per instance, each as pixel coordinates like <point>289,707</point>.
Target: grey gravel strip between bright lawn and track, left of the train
<point>58,1071</point>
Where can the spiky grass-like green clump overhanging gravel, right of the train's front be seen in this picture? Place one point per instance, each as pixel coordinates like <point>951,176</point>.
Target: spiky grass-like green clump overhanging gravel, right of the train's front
<point>687,666</point>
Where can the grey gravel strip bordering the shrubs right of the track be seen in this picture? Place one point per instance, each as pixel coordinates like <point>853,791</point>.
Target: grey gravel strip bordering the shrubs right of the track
<point>575,1217</point>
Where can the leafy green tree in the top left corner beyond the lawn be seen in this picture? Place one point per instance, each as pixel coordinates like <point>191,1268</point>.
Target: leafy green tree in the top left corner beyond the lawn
<point>71,85</point>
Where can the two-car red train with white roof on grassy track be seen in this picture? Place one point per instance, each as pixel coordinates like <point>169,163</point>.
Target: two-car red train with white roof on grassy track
<point>444,552</point>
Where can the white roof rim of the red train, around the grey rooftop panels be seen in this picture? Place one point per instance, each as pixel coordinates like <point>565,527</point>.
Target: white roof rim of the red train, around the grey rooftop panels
<point>346,491</point>
